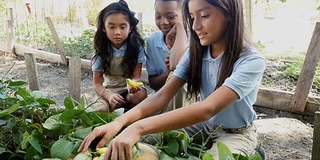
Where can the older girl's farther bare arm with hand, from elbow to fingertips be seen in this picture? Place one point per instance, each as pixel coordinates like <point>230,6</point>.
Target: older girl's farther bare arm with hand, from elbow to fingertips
<point>147,107</point>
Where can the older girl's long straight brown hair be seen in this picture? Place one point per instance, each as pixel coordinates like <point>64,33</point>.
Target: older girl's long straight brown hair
<point>233,10</point>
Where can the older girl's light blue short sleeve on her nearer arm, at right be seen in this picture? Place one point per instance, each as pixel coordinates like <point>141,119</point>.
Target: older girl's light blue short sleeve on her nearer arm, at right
<point>247,74</point>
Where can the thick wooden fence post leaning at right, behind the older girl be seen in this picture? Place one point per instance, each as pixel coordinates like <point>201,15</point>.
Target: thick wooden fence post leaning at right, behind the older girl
<point>299,99</point>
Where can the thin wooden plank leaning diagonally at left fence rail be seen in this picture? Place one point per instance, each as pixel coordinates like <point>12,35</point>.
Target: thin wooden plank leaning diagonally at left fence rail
<point>57,40</point>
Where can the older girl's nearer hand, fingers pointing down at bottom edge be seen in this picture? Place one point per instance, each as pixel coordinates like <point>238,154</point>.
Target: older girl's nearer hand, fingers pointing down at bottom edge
<point>120,147</point>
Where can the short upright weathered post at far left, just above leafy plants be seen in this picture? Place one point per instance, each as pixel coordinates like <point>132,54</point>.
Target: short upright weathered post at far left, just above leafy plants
<point>32,74</point>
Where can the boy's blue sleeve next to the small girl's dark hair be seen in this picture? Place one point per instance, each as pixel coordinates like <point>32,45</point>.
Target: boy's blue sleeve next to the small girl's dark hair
<point>150,66</point>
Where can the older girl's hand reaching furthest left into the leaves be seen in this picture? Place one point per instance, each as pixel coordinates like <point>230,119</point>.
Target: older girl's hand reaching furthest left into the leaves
<point>107,132</point>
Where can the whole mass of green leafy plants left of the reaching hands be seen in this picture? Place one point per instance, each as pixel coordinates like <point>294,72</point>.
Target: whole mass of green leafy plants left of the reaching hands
<point>31,128</point>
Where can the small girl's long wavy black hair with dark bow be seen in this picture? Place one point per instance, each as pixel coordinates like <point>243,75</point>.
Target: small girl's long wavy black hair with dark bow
<point>103,46</point>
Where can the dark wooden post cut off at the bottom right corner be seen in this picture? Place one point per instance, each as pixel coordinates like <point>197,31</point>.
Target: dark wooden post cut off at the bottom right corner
<point>316,137</point>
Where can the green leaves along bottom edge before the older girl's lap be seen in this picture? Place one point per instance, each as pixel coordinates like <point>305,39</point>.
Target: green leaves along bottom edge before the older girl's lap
<point>177,145</point>
